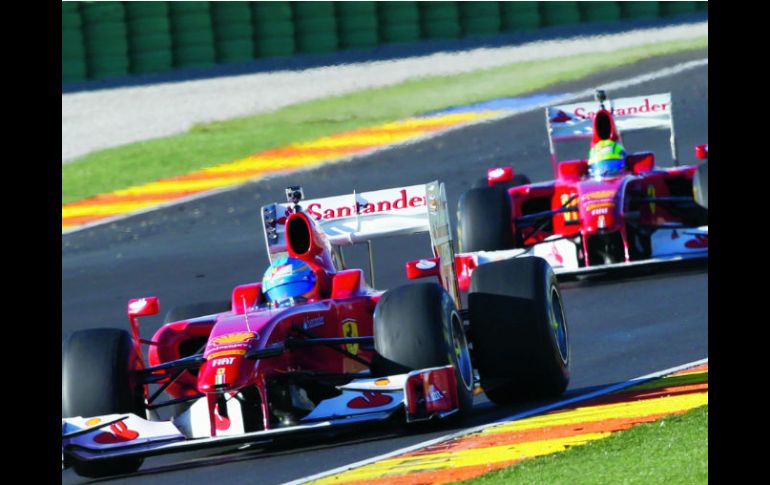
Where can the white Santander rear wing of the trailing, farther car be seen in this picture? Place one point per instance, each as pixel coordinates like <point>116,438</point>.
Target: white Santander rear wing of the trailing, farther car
<point>575,121</point>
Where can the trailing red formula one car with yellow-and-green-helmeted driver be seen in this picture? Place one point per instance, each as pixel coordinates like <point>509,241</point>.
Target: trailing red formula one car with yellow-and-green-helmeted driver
<point>591,218</point>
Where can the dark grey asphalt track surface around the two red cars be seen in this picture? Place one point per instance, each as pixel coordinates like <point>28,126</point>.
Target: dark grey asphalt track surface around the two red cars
<point>620,327</point>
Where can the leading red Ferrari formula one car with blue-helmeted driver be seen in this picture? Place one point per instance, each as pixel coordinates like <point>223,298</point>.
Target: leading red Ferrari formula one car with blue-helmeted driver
<point>312,346</point>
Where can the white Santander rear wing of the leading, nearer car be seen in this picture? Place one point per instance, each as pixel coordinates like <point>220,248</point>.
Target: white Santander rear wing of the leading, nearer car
<point>364,216</point>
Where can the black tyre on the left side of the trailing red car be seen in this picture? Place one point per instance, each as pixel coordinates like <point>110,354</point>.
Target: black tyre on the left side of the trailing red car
<point>484,220</point>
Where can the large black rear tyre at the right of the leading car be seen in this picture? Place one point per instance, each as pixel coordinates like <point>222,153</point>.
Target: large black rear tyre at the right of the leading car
<point>519,330</point>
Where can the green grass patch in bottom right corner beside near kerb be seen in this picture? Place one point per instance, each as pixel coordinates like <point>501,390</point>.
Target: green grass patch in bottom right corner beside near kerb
<point>673,450</point>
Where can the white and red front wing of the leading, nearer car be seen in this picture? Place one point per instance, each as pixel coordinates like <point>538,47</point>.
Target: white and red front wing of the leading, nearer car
<point>362,400</point>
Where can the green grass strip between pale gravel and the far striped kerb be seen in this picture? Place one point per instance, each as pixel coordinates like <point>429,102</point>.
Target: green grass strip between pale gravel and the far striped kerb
<point>213,143</point>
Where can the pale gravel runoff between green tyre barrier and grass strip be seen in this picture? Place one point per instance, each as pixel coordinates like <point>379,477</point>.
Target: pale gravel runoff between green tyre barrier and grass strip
<point>107,118</point>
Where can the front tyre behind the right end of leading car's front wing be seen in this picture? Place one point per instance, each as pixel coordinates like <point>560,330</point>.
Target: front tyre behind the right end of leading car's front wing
<point>416,327</point>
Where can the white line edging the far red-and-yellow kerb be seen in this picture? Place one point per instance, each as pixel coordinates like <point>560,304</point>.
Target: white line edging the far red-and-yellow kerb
<point>620,84</point>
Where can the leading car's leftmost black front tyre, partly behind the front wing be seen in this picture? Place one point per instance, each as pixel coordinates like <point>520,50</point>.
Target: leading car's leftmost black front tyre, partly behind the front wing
<point>98,378</point>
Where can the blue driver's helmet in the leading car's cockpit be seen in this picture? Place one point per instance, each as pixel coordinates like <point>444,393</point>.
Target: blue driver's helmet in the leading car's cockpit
<point>289,280</point>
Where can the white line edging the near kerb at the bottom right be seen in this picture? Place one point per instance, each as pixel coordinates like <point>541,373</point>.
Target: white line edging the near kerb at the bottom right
<point>514,417</point>
